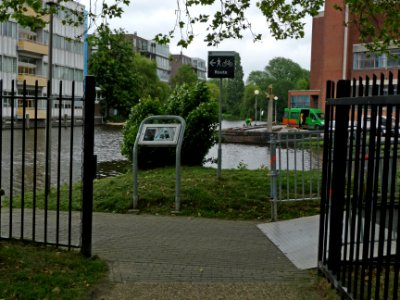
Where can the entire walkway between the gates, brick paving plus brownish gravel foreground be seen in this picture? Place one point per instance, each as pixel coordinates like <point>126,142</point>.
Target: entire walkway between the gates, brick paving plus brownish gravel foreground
<point>156,254</point>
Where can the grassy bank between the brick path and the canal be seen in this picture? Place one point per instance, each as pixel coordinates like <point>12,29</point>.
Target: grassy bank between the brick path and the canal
<point>239,194</point>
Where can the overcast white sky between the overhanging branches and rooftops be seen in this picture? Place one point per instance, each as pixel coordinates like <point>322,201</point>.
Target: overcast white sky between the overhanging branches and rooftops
<point>150,17</point>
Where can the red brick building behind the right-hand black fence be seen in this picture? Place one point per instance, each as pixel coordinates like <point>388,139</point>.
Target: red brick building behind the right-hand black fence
<point>336,53</point>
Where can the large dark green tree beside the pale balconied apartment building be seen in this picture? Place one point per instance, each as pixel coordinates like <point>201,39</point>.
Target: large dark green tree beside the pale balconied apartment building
<point>122,76</point>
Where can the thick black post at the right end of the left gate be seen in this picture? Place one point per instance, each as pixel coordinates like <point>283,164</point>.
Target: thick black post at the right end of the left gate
<point>89,166</point>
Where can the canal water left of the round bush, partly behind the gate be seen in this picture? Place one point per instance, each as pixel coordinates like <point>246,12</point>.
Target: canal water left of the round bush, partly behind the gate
<point>64,166</point>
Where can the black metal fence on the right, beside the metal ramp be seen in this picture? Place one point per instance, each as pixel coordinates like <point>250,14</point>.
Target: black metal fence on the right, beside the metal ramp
<point>359,243</point>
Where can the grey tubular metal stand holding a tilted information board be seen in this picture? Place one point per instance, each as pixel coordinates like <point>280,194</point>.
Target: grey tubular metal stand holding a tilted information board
<point>159,135</point>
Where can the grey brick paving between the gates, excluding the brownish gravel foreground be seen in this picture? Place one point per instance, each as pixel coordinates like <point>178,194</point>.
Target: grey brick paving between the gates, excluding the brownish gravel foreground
<point>148,249</point>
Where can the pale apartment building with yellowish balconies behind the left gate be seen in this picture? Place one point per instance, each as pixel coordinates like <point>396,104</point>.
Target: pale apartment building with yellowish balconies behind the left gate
<point>24,56</point>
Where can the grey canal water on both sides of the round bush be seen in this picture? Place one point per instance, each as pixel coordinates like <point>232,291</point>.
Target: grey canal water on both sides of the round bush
<point>111,162</point>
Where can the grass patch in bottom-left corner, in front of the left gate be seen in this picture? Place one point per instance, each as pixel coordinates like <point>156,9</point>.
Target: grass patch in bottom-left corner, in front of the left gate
<point>30,271</point>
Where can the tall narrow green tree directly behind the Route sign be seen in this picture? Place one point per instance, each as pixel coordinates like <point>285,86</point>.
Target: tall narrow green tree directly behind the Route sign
<point>234,89</point>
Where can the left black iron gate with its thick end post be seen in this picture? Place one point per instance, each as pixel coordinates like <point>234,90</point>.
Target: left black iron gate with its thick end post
<point>47,166</point>
